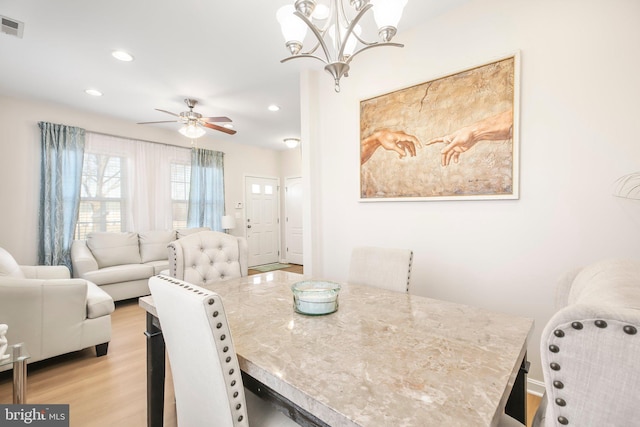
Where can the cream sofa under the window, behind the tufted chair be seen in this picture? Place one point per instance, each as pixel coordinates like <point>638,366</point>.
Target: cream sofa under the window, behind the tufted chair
<point>121,263</point>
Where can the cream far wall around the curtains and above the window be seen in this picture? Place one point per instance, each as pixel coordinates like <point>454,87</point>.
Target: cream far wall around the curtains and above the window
<point>20,164</point>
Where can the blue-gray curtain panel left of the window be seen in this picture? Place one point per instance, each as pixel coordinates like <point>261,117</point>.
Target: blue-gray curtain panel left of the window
<point>60,177</point>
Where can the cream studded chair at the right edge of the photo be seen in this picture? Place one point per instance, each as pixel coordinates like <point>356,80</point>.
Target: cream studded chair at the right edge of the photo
<point>590,347</point>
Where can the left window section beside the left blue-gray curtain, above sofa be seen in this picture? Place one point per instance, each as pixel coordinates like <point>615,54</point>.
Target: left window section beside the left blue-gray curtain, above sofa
<point>102,198</point>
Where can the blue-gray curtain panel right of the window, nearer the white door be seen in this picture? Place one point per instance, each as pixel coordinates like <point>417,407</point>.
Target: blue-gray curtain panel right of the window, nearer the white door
<point>206,195</point>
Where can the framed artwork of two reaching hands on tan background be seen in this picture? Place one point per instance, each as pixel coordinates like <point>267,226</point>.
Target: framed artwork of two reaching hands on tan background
<point>452,138</point>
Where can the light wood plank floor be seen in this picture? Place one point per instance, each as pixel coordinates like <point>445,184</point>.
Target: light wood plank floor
<point>111,390</point>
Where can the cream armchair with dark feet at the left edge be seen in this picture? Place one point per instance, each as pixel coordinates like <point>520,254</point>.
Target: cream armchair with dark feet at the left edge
<point>50,312</point>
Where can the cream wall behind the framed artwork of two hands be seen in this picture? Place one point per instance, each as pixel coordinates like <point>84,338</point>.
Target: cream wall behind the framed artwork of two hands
<point>578,115</point>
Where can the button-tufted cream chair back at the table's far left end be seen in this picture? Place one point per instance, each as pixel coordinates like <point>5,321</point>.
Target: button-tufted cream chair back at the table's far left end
<point>207,257</point>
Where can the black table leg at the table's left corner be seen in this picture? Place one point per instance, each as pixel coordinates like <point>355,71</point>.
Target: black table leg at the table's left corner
<point>155,372</point>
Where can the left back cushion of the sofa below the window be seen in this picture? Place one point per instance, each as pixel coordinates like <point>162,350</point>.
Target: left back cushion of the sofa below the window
<point>111,249</point>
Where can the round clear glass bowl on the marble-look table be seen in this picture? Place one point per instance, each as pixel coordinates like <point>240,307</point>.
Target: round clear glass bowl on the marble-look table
<point>315,297</point>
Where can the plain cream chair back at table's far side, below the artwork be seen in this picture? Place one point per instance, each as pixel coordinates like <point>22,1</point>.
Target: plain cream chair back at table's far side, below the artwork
<point>386,268</point>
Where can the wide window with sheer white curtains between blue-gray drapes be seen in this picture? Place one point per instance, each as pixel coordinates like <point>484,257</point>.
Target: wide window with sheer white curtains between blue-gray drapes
<point>132,185</point>
